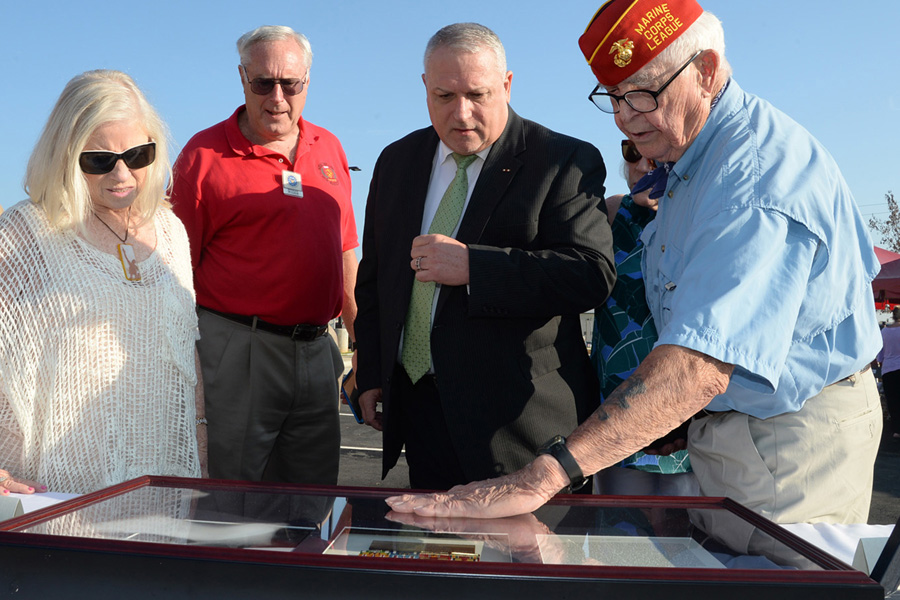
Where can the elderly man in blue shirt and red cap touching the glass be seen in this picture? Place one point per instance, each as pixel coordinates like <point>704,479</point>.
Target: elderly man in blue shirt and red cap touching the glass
<point>758,270</point>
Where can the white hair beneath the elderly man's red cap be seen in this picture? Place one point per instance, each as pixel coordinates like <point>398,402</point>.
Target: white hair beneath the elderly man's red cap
<point>705,33</point>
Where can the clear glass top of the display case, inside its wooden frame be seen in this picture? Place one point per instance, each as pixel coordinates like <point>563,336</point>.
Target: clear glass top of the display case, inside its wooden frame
<point>299,521</point>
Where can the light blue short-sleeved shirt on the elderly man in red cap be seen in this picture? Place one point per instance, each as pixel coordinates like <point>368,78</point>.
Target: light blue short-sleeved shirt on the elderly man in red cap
<point>760,258</point>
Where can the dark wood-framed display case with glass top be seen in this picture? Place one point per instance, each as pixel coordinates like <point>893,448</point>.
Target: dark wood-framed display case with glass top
<point>171,537</point>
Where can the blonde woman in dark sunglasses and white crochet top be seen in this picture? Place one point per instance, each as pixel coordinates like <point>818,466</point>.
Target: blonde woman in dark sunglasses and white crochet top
<point>98,378</point>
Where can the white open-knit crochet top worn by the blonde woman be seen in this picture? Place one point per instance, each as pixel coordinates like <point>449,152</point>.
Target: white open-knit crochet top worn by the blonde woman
<point>97,373</point>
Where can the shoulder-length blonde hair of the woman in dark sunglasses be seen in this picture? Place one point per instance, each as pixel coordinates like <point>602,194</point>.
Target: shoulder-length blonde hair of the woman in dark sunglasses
<point>53,178</point>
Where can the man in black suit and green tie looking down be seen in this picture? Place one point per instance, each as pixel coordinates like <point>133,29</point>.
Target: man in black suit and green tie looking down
<point>502,365</point>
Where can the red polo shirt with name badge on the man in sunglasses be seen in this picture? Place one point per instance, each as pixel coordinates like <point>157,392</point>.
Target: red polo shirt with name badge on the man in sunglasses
<point>256,250</point>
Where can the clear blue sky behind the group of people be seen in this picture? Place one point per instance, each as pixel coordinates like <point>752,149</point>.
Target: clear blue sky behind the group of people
<point>832,69</point>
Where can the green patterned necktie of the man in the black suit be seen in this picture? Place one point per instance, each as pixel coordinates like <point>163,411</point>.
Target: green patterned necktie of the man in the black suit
<point>416,355</point>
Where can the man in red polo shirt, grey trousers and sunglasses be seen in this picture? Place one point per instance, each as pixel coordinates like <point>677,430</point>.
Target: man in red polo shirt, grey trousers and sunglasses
<point>265,198</point>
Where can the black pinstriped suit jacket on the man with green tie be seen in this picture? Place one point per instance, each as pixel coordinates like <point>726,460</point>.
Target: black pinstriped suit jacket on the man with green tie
<point>511,365</point>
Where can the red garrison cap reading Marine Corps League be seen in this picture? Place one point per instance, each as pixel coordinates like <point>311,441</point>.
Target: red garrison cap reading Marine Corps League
<point>625,35</point>
